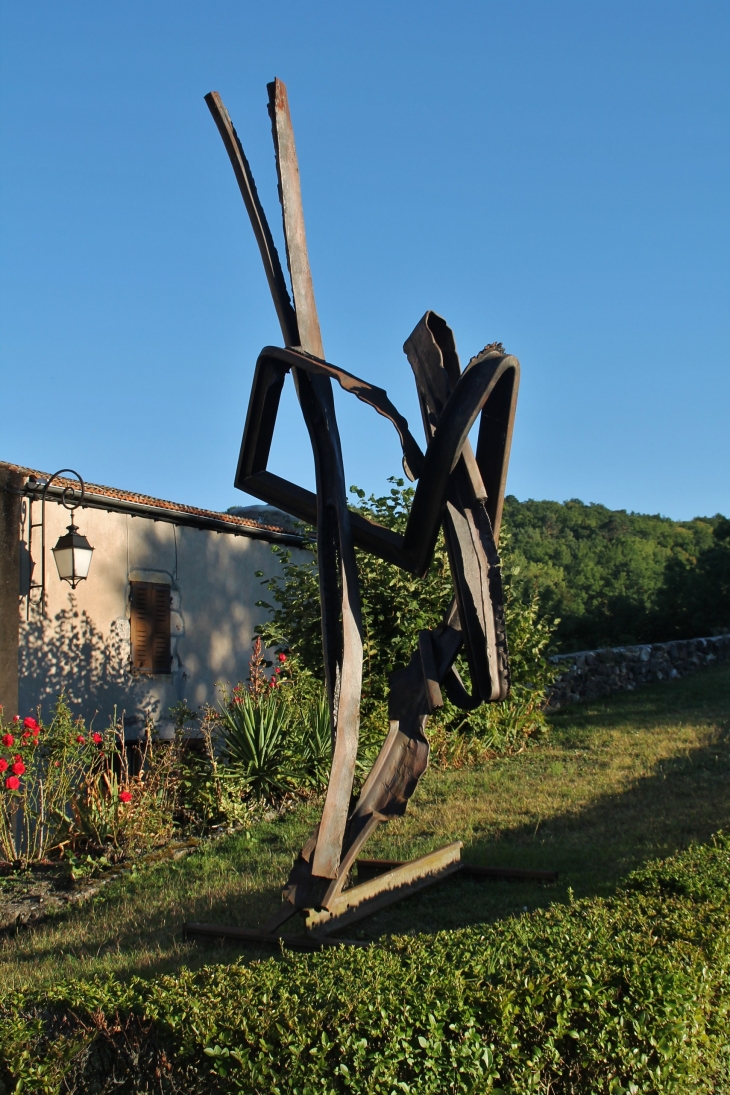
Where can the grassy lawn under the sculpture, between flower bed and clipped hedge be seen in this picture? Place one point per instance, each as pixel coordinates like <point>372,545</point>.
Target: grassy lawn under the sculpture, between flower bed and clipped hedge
<point>618,783</point>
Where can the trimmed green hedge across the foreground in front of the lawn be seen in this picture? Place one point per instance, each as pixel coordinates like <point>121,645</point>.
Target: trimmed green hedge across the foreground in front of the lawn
<point>623,995</point>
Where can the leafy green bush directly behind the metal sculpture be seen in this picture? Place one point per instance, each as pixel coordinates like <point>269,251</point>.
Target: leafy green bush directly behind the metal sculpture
<point>396,607</point>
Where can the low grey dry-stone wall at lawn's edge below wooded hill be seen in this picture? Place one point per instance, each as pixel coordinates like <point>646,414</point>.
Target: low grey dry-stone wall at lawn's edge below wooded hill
<point>590,674</point>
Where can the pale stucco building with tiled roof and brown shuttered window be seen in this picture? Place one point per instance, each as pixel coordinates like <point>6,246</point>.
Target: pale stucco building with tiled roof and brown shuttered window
<point>167,613</point>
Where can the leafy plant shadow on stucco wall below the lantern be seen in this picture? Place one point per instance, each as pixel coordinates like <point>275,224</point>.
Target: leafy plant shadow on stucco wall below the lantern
<point>68,654</point>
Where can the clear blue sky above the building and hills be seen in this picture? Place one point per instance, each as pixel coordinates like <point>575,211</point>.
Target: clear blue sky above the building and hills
<point>554,176</point>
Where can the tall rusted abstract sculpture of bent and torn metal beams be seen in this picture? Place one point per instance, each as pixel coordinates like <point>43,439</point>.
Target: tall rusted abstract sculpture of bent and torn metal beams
<point>458,490</point>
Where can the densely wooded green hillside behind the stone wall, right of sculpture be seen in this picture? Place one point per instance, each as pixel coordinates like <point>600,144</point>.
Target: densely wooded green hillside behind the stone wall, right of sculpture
<point>616,578</point>
